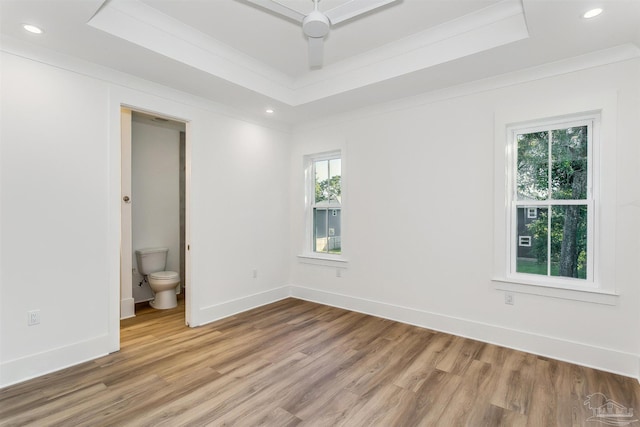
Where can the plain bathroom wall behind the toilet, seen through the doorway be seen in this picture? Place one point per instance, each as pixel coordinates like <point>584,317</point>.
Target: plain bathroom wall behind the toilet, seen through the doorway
<point>155,192</point>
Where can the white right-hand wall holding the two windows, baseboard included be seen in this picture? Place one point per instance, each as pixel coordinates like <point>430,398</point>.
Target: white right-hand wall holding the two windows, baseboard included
<point>419,217</point>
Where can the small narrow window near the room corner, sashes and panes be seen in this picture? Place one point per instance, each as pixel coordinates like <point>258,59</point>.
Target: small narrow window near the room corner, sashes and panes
<point>326,203</point>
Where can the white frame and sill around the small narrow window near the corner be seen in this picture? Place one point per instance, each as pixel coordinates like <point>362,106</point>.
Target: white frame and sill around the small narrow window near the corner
<point>308,254</point>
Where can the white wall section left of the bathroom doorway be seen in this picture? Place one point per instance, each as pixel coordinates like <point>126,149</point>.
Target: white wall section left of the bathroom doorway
<point>55,168</point>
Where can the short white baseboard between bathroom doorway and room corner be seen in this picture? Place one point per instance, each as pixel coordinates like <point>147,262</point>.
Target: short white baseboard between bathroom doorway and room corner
<point>229,308</point>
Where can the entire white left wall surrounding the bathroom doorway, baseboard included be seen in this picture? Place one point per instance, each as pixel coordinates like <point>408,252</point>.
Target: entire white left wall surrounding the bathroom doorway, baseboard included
<point>60,198</point>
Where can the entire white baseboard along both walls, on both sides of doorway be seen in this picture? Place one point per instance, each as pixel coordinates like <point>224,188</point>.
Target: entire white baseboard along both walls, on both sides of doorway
<point>15,371</point>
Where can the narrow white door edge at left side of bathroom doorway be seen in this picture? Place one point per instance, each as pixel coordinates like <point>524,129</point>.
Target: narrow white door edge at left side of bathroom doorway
<point>127,304</point>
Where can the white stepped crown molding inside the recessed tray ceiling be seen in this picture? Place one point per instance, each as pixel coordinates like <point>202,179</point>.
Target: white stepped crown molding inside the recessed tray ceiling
<point>138,23</point>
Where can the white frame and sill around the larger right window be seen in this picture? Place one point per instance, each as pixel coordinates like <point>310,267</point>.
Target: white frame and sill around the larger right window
<point>553,107</point>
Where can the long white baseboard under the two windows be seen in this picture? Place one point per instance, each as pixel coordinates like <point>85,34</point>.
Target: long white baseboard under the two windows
<point>609,360</point>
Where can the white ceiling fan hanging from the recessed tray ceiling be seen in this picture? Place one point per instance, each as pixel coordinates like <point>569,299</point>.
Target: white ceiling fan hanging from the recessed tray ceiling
<point>316,24</point>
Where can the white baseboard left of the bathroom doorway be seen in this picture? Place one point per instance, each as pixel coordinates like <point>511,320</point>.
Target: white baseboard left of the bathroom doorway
<point>35,365</point>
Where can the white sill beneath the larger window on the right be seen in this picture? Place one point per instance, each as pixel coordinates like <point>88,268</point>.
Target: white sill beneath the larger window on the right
<point>585,294</point>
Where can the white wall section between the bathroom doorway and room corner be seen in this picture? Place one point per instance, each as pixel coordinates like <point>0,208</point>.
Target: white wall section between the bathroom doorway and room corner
<point>240,180</point>
